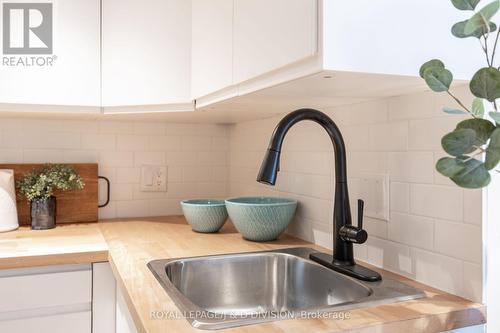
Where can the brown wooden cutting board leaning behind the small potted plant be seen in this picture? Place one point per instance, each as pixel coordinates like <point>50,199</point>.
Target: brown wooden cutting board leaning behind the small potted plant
<point>72,206</point>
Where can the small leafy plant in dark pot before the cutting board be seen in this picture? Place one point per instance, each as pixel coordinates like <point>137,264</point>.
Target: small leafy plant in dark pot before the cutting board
<point>38,188</point>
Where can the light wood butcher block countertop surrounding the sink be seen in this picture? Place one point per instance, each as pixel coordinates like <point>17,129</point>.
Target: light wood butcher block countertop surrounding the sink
<point>129,244</point>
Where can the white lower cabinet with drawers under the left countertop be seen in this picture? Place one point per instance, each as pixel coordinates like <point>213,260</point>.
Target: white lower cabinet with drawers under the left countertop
<point>58,299</point>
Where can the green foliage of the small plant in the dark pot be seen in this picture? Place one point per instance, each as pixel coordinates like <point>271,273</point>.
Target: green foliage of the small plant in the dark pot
<point>41,183</point>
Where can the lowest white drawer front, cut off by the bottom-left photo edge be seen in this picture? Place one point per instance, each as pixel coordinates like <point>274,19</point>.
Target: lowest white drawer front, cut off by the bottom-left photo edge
<point>76,322</point>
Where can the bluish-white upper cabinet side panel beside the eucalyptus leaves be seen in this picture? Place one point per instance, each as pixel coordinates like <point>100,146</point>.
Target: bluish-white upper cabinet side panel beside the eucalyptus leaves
<point>395,37</point>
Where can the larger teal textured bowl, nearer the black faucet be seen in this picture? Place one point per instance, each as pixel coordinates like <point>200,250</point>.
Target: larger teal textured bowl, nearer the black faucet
<point>261,219</point>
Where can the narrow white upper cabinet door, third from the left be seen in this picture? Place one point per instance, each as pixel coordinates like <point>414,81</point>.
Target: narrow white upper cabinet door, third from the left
<point>212,46</point>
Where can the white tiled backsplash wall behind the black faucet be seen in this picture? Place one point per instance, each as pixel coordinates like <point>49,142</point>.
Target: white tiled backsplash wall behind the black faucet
<point>434,231</point>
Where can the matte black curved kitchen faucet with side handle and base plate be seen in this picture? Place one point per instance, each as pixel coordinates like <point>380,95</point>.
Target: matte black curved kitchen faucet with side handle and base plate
<point>344,233</point>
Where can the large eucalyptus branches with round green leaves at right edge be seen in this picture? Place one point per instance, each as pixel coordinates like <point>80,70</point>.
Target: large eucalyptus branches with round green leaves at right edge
<point>474,145</point>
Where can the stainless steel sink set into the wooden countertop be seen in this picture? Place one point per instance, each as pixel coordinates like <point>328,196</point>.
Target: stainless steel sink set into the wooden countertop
<point>215,292</point>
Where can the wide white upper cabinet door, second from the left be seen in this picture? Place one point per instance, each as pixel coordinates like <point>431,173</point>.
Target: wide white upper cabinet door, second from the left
<point>146,52</point>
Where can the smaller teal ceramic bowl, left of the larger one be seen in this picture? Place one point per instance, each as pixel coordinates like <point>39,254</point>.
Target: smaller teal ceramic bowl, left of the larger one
<point>205,215</point>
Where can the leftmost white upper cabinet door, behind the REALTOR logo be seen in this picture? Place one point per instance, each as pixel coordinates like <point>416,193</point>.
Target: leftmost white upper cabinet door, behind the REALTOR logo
<point>52,57</point>
